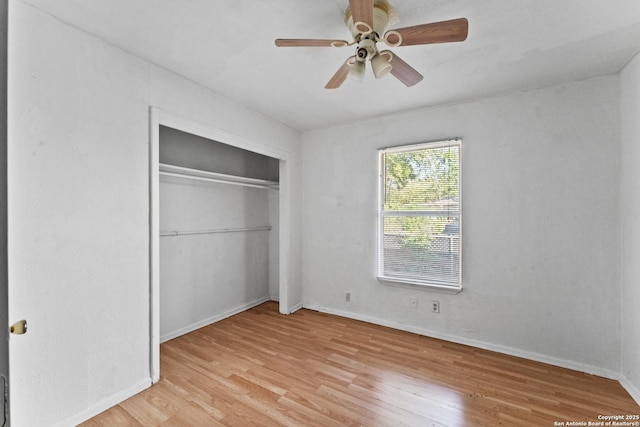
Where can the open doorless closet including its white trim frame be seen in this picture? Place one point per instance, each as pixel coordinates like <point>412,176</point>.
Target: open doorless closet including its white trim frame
<point>216,234</point>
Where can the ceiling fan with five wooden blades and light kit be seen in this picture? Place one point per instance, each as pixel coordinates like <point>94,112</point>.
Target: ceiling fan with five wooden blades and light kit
<point>368,20</point>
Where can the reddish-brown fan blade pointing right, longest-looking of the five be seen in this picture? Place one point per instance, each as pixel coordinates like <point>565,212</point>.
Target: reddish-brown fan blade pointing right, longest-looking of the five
<point>455,30</point>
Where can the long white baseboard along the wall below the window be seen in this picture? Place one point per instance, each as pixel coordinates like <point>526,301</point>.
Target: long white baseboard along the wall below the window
<point>568,364</point>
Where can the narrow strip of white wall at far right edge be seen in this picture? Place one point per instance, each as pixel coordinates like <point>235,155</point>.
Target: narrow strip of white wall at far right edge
<point>630,224</point>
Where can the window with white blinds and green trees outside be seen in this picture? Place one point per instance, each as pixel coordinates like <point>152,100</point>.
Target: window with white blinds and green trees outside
<point>420,215</point>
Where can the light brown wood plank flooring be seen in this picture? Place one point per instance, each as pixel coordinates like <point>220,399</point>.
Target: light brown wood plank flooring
<point>260,368</point>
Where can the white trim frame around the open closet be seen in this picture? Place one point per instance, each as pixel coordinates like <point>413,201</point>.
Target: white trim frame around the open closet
<point>157,118</point>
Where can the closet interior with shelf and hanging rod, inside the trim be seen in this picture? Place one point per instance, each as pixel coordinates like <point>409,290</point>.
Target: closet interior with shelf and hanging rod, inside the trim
<point>219,239</point>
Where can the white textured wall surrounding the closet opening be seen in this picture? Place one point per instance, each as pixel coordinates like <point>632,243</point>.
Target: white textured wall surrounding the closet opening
<point>79,211</point>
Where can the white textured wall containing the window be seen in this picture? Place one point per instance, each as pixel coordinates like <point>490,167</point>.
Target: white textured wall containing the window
<point>540,228</point>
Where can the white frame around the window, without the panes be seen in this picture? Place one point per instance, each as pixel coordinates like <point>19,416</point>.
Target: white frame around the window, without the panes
<point>428,285</point>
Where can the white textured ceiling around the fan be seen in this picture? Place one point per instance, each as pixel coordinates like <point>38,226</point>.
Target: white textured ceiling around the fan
<point>228,46</point>
